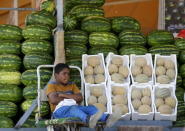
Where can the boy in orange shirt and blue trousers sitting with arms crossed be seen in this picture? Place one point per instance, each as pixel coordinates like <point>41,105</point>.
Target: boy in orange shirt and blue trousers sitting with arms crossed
<point>64,97</point>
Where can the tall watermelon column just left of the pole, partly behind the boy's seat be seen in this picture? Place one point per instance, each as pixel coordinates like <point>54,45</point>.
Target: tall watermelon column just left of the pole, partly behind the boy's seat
<point>38,50</point>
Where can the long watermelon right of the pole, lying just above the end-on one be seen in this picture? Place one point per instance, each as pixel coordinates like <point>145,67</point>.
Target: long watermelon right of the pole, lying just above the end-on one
<point>82,11</point>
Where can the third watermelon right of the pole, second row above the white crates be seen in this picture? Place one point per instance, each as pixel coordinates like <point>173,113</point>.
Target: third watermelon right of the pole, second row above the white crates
<point>131,37</point>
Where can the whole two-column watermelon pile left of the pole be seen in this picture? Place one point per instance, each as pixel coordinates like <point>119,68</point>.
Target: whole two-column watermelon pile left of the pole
<point>21,51</point>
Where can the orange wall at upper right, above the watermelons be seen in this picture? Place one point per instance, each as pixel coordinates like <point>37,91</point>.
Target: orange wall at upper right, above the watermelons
<point>145,12</point>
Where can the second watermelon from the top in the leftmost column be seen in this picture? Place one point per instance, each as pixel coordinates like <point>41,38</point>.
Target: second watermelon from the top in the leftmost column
<point>10,47</point>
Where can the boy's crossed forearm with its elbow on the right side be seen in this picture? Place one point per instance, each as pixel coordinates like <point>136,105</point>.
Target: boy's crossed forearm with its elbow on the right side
<point>77,97</point>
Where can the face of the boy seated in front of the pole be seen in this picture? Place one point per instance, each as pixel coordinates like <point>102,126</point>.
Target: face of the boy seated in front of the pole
<point>63,76</point>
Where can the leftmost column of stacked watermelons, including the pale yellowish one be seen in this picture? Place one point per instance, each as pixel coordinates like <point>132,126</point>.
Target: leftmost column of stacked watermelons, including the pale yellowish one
<point>10,76</point>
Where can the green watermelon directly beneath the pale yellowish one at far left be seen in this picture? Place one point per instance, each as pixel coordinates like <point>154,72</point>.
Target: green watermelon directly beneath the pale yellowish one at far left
<point>10,93</point>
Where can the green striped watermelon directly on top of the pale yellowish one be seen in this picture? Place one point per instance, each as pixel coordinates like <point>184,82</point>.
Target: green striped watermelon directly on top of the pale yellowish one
<point>10,62</point>
